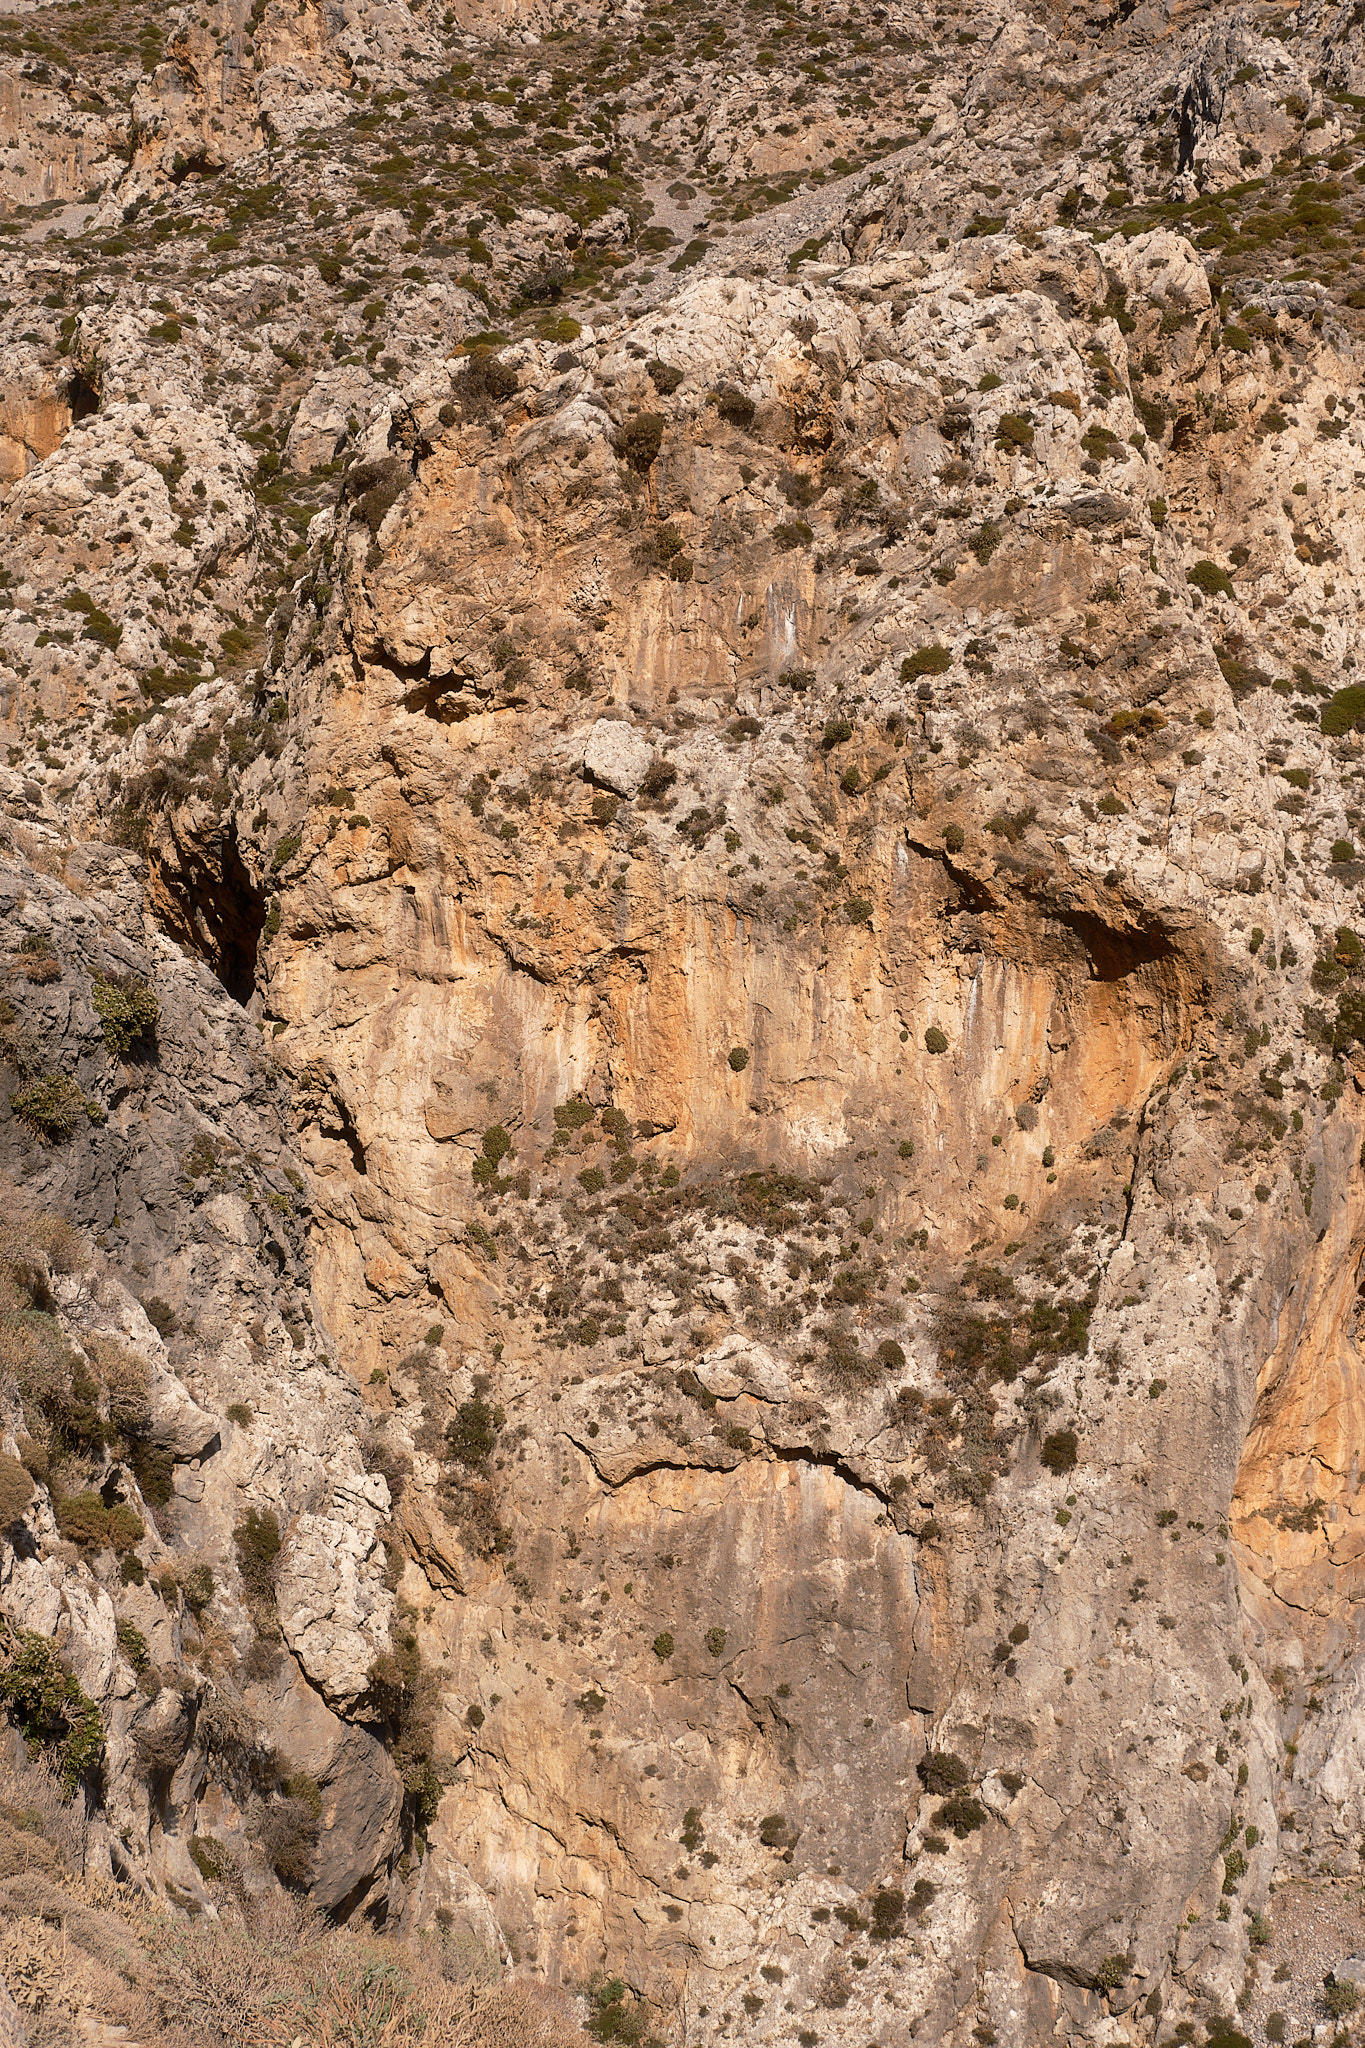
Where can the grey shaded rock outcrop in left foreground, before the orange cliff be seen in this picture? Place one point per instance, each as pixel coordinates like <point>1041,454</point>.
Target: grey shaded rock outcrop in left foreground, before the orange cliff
<point>185,1299</point>
